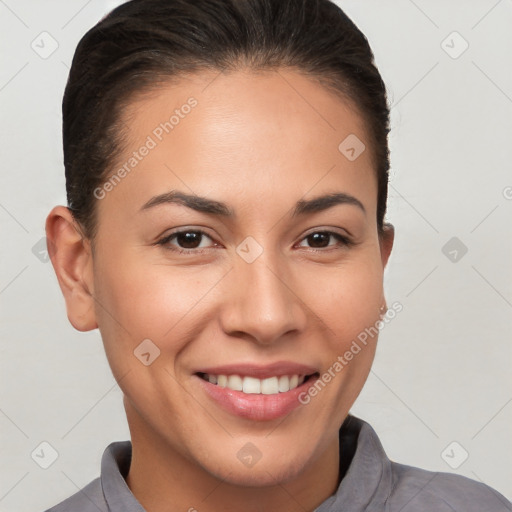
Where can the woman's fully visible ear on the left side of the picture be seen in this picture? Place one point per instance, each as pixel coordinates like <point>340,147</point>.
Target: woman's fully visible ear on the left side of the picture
<point>71,256</point>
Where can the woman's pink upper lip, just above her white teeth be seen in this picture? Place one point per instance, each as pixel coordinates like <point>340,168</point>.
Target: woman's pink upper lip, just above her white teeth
<point>276,369</point>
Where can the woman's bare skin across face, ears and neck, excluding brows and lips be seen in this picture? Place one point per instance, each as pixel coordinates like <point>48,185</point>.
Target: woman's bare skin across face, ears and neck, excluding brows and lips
<point>258,142</point>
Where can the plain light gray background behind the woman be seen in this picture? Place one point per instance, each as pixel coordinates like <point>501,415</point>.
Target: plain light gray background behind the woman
<point>442,370</point>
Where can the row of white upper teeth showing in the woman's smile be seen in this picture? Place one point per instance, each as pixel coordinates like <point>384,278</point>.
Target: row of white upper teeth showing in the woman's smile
<point>252,385</point>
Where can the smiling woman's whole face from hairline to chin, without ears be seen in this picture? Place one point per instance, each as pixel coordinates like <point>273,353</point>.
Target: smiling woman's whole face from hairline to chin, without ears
<point>218,266</point>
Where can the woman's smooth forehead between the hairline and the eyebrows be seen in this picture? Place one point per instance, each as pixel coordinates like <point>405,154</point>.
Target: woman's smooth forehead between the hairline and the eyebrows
<point>245,134</point>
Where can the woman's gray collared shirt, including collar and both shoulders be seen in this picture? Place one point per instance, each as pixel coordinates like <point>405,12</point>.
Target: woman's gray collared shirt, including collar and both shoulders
<point>370,483</point>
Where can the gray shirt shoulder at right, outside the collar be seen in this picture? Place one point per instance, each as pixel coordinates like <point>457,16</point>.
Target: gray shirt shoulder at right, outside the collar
<point>415,489</point>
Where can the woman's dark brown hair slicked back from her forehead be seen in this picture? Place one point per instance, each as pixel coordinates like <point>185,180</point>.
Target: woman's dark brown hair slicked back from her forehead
<point>143,43</point>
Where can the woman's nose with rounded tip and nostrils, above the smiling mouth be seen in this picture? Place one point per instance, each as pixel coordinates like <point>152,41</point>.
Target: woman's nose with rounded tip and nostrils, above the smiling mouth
<point>260,302</point>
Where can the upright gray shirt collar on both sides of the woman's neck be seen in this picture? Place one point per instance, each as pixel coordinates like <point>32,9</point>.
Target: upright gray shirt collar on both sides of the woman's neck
<point>364,467</point>
